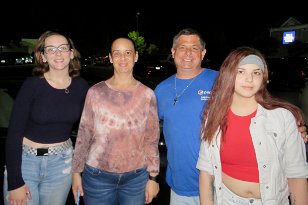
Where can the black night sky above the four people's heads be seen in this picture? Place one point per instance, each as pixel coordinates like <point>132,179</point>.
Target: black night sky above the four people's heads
<point>92,26</point>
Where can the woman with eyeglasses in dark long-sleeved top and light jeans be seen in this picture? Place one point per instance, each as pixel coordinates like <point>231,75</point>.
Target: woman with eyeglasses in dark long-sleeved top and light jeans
<point>38,147</point>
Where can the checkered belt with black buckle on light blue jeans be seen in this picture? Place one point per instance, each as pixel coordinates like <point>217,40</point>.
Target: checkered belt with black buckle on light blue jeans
<point>48,150</point>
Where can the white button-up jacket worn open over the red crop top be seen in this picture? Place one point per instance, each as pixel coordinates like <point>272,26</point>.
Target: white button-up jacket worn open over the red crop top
<point>280,153</point>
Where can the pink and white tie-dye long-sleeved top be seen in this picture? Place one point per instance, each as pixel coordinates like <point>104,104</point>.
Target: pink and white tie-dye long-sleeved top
<point>118,131</point>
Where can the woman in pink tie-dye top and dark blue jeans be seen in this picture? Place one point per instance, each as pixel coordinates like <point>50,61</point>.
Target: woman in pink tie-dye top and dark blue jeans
<point>117,144</point>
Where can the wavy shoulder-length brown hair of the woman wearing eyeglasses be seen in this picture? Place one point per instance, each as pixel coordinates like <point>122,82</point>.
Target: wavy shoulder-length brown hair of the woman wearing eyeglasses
<point>40,67</point>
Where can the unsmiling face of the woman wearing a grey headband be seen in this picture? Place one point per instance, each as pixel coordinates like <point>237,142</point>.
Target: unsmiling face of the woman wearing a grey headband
<point>248,81</point>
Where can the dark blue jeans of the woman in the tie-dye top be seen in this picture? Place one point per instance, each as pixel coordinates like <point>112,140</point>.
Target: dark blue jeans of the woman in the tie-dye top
<point>108,188</point>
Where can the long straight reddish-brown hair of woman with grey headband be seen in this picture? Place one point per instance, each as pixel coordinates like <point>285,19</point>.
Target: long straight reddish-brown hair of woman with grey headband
<point>214,116</point>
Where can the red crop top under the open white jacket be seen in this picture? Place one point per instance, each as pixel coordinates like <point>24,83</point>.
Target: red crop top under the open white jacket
<point>238,157</point>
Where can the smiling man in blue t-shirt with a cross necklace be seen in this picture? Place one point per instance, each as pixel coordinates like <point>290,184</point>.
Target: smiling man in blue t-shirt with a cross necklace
<point>180,100</point>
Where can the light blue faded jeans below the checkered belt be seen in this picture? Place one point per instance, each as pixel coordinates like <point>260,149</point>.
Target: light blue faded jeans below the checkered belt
<point>49,178</point>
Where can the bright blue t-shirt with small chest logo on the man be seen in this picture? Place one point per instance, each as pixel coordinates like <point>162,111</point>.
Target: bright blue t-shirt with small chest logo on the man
<point>181,127</point>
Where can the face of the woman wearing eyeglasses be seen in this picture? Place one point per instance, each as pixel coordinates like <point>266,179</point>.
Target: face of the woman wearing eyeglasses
<point>57,52</point>
